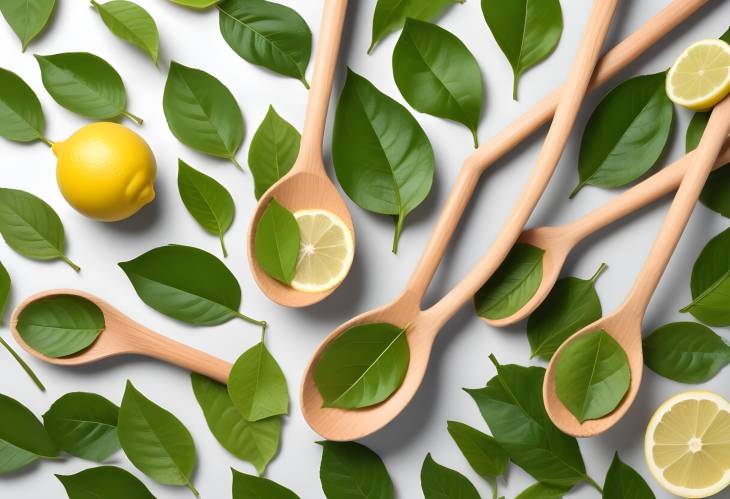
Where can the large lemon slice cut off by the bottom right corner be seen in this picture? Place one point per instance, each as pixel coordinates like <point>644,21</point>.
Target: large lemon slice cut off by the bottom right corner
<point>687,444</point>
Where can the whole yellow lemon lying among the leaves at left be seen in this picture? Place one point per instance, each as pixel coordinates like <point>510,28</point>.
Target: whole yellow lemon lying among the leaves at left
<point>106,171</point>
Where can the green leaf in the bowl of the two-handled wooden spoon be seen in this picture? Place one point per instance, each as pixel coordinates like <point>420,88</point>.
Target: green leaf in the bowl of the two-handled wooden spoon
<point>363,366</point>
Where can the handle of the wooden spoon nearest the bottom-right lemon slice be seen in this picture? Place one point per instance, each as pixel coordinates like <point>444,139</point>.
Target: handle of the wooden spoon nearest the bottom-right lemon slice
<point>681,209</point>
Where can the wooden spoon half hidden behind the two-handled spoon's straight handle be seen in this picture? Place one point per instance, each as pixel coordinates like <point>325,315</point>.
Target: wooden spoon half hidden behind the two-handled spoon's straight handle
<point>558,242</point>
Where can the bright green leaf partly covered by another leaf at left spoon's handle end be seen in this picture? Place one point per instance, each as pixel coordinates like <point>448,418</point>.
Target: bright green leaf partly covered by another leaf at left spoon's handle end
<point>254,442</point>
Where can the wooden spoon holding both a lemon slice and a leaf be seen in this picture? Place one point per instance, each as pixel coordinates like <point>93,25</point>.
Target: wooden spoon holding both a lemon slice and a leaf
<point>307,185</point>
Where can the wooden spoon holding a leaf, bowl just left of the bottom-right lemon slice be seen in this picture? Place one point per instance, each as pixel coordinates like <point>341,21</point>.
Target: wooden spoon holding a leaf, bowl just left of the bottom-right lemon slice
<point>624,325</point>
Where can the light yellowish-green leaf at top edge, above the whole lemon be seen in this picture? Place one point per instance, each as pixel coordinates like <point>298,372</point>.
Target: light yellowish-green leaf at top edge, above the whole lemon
<point>131,23</point>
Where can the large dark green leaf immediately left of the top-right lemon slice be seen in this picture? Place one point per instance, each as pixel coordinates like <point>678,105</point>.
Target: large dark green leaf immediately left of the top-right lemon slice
<point>626,134</point>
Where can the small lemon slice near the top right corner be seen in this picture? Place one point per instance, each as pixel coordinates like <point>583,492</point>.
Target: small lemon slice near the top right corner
<point>701,76</point>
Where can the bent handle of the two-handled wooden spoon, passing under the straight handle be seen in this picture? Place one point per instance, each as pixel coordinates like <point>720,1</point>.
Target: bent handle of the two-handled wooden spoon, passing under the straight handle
<point>462,191</point>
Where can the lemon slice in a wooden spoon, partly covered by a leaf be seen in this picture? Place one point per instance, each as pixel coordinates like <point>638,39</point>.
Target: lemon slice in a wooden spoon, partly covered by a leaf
<point>325,252</point>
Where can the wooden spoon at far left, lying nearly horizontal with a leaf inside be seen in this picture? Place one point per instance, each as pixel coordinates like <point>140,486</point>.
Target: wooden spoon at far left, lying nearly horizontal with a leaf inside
<point>123,336</point>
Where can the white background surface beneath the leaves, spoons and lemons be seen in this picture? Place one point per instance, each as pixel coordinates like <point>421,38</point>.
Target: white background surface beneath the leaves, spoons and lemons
<point>460,355</point>
